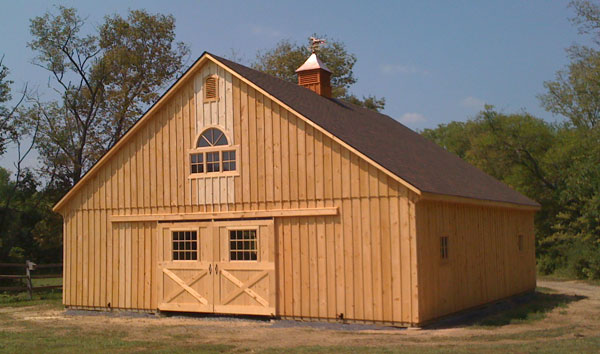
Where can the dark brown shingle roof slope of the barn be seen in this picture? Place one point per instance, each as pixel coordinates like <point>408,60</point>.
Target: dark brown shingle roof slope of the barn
<point>400,150</point>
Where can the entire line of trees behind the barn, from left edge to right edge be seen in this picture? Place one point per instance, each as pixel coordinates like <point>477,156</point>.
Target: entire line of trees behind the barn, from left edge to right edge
<point>104,79</point>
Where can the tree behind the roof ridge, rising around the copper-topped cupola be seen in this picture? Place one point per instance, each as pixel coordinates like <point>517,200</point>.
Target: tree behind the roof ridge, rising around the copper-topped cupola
<point>287,56</point>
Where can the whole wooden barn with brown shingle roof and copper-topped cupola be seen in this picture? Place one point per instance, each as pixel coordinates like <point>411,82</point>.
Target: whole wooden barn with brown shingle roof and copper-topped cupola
<point>240,193</point>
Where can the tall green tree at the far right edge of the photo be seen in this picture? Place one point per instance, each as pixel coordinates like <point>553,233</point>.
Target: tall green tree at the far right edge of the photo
<point>575,94</point>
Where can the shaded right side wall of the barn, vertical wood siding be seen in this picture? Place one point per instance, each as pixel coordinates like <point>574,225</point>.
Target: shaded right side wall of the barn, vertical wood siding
<point>484,263</point>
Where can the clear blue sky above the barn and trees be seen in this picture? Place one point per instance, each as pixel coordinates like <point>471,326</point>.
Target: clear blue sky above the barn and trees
<point>433,61</point>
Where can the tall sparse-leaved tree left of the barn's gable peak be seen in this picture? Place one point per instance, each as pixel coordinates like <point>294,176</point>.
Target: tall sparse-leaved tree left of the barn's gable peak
<point>105,80</point>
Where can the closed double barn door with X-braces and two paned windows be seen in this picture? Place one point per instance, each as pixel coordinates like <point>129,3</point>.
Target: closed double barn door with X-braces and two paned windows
<point>220,267</point>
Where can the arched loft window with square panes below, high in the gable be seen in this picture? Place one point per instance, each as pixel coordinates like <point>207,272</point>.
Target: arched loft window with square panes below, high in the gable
<point>213,154</point>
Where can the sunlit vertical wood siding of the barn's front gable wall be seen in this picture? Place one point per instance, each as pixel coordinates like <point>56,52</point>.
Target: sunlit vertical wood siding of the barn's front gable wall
<point>360,263</point>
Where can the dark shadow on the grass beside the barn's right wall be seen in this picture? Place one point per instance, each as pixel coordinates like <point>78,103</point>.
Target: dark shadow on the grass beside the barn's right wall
<point>519,309</point>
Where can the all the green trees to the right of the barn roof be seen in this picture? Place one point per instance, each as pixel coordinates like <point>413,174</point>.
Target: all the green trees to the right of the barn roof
<point>556,164</point>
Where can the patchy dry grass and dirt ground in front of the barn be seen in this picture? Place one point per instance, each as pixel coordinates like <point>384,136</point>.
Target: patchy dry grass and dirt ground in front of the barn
<point>562,316</point>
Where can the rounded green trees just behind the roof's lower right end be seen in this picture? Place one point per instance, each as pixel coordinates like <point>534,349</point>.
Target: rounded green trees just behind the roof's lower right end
<point>515,149</point>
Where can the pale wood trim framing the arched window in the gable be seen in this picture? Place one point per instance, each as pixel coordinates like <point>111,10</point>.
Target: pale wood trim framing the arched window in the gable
<point>218,148</point>
